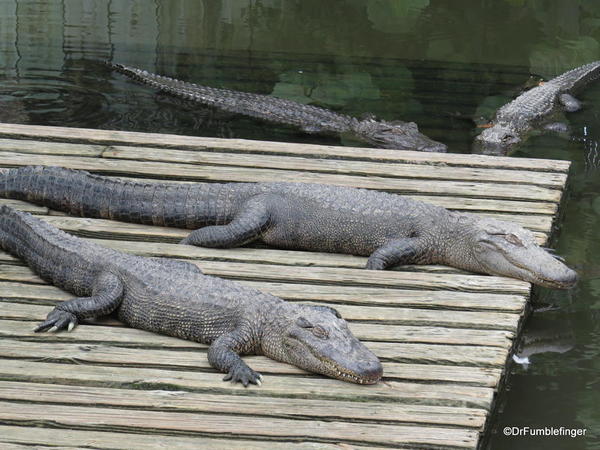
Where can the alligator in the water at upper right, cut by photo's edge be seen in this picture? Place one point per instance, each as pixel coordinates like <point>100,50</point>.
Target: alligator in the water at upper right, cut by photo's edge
<point>539,108</point>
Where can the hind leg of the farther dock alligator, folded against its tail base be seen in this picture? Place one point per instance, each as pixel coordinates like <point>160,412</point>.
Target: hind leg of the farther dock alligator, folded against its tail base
<point>247,225</point>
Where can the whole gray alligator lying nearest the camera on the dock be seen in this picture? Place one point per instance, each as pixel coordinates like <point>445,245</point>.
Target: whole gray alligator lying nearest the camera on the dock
<point>174,298</point>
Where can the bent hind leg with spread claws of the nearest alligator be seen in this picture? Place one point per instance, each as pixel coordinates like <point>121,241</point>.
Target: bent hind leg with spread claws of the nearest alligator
<point>105,298</point>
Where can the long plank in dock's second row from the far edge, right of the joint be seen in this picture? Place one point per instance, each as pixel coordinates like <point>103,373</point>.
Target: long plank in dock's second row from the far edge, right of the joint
<point>365,168</point>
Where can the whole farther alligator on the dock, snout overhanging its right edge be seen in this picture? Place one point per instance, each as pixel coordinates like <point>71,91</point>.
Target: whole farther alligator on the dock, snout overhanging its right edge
<point>388,228</point>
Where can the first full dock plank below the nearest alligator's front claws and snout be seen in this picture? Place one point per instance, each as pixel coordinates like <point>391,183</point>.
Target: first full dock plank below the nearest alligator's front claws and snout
<point>246,405</point>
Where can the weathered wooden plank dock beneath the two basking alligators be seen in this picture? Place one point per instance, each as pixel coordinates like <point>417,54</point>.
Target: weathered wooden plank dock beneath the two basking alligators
<point>444,336</point>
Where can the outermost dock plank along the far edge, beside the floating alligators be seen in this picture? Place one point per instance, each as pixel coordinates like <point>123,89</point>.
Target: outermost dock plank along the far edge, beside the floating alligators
<point>263,147</point>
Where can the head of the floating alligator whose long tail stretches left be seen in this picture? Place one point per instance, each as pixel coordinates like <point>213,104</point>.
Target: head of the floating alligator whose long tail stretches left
<point>395,135</point>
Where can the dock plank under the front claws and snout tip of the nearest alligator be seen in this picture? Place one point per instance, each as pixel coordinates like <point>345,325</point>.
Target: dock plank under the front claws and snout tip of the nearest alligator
<point>273,385</point>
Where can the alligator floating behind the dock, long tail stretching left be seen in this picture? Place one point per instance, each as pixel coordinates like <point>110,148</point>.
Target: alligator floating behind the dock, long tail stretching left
<point>310,119</point>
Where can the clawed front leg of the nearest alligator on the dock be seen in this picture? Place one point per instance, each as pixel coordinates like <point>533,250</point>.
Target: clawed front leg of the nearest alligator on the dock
<point>223,356</point>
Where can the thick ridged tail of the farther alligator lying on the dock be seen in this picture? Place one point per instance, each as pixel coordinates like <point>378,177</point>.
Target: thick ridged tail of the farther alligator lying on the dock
<point>80,193</point>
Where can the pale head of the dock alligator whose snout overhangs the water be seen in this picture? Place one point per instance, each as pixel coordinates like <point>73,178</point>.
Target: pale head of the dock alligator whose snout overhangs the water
<point>507,249</point>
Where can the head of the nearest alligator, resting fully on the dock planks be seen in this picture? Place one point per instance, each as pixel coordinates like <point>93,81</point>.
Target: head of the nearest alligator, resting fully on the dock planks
<point>317,339</point>
